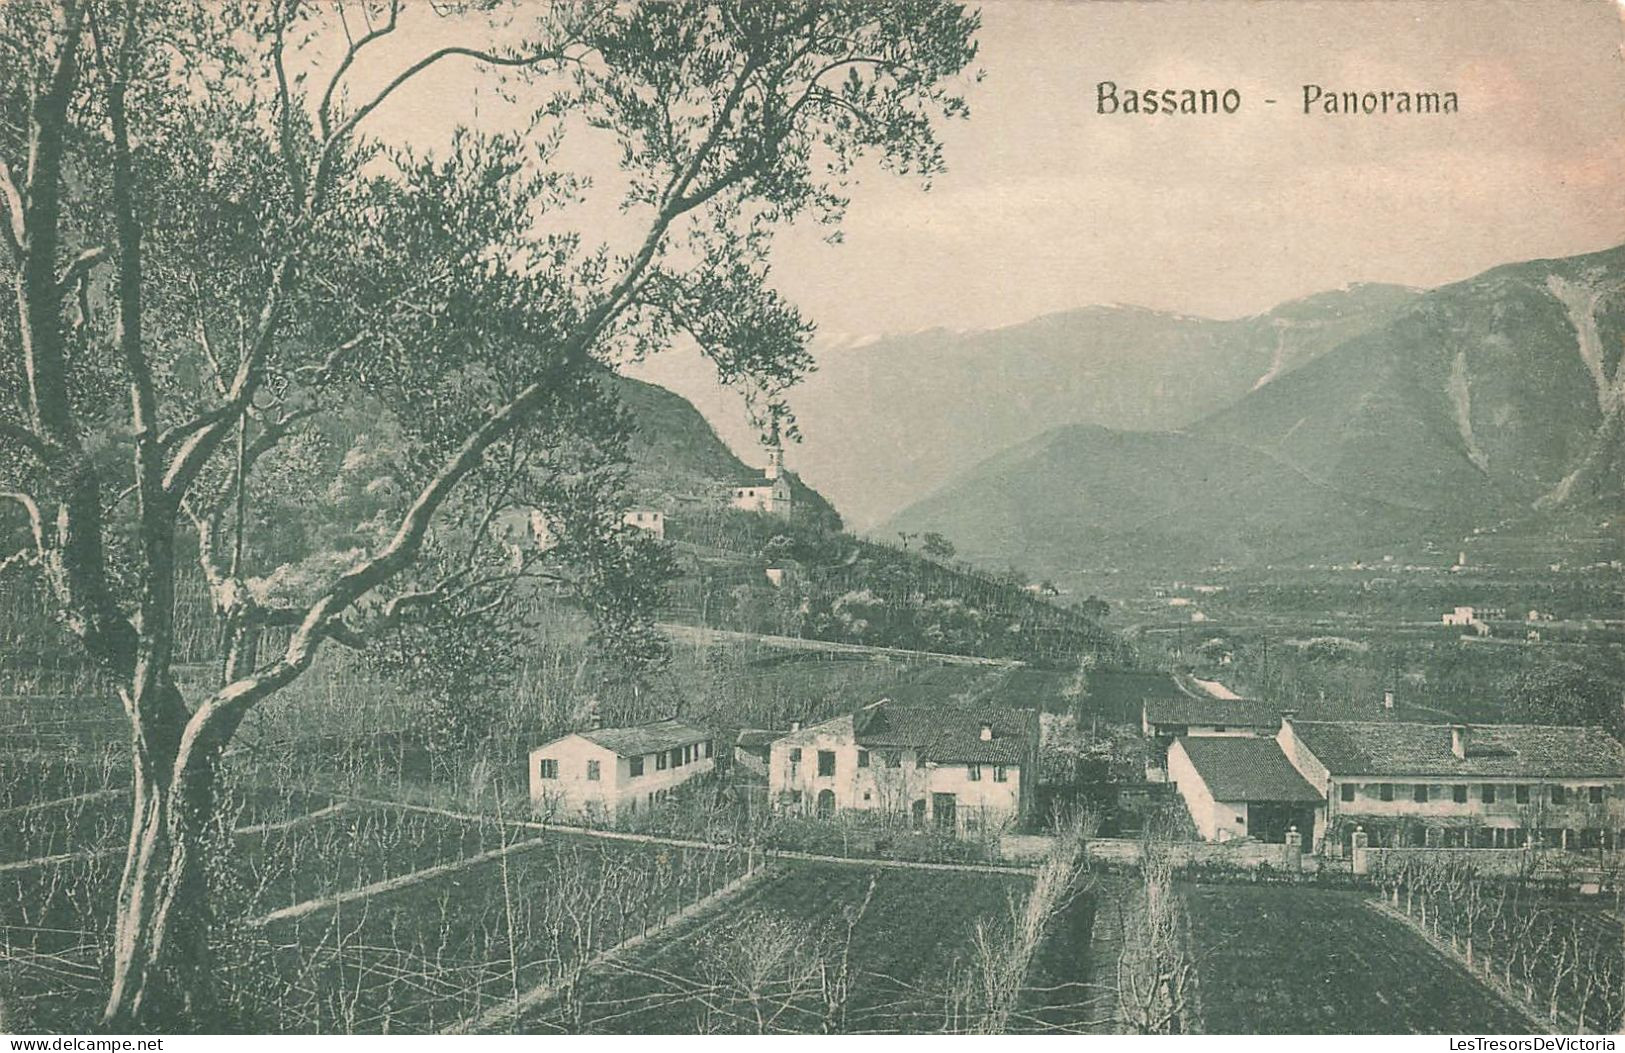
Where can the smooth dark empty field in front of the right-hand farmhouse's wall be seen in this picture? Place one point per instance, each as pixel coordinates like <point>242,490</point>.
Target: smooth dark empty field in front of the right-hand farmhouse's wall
<point>1319,961</point>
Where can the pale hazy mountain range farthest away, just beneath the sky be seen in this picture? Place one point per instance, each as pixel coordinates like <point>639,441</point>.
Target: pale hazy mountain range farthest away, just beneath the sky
<point>891,420</point>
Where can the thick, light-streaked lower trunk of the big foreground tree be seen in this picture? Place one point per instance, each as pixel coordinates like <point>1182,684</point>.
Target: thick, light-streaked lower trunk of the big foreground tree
<point>162,969</point>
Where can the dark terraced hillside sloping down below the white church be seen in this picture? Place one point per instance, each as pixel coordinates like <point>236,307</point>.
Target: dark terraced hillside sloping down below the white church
<point>828,584</point>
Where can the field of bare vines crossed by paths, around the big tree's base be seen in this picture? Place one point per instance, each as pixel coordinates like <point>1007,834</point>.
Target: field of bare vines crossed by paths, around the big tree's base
<point>345,917</point>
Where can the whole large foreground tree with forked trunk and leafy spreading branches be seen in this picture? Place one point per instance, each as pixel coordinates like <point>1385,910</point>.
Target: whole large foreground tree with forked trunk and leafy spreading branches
<point>227,292</point>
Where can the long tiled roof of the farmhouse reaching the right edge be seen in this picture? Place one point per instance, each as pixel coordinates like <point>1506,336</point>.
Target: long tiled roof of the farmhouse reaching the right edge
<point>1359,748</point>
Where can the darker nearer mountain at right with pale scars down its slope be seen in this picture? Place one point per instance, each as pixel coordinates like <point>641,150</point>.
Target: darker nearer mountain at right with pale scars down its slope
<point>1493,401</point>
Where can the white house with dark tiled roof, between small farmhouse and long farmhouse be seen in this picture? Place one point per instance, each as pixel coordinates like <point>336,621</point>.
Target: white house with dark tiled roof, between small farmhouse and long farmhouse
<point>953,769</point>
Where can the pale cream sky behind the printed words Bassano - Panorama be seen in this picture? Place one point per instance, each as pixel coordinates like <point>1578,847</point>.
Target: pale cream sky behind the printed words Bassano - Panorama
<point>1049,206</point>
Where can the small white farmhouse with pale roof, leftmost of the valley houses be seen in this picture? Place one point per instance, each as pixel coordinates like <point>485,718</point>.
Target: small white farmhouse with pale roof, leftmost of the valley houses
<point>605,773</point>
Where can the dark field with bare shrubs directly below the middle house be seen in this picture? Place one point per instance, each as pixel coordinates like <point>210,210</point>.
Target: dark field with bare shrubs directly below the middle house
<point>880,948</point>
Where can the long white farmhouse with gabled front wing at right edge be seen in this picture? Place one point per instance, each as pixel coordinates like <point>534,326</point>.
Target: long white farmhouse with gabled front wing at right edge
<point>1408,786</point>
